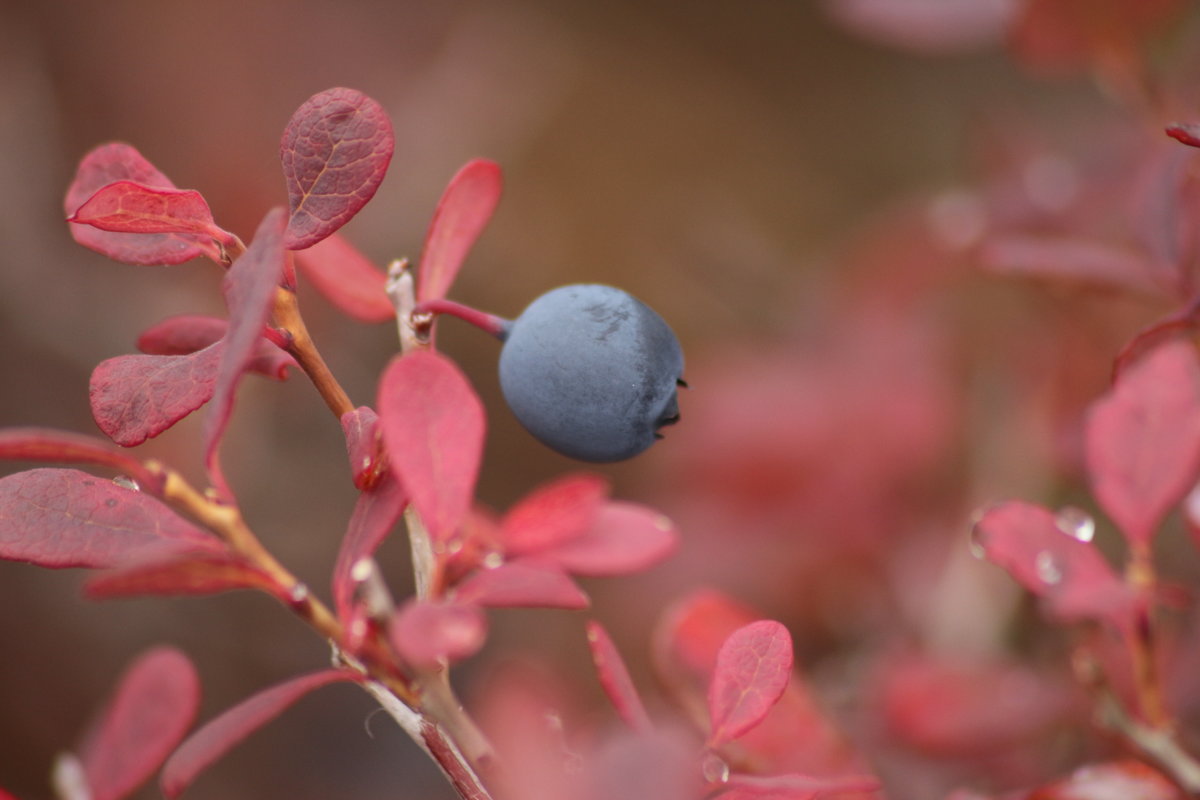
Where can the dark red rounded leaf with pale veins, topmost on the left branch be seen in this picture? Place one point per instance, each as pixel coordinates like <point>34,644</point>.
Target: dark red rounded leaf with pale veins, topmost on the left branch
<point>335,153</point>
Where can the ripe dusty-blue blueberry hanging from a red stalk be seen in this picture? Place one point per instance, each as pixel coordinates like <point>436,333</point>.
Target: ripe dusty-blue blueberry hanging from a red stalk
<point>592,372</point>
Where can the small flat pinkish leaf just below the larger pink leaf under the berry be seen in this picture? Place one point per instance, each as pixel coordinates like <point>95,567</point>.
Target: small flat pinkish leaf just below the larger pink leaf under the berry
<point>524,584</point>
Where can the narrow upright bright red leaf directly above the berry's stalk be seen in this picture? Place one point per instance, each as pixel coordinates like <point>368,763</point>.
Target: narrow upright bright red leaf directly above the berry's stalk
<point>463,213</point>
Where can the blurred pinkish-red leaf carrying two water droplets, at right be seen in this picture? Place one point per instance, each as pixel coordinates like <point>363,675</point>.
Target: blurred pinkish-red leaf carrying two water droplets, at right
<point>1046,558</point>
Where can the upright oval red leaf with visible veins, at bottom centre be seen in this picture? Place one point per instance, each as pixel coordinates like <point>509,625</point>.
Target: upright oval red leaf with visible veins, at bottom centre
<point>753,670</point>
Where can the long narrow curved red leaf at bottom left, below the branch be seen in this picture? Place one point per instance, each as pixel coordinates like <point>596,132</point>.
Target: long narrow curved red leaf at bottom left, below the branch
<point>223,733</point>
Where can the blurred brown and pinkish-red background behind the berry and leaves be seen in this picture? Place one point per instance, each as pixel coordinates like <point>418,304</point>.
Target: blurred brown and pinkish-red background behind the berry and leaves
<point>794,191</point>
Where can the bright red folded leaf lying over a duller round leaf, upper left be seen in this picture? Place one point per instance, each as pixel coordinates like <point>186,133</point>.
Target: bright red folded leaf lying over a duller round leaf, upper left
<point>134,208</point>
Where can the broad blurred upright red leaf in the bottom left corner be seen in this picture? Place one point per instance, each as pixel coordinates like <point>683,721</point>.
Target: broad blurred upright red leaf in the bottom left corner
<point>154,706</point>
